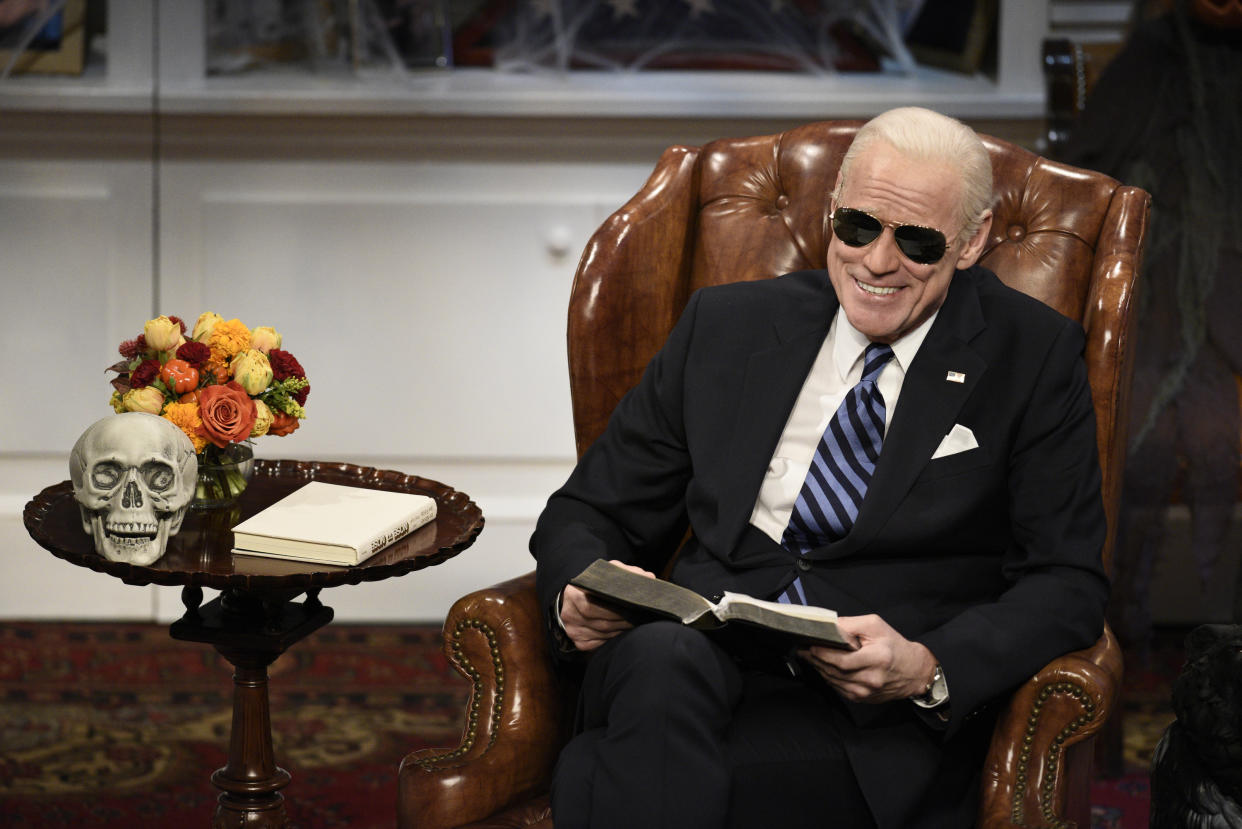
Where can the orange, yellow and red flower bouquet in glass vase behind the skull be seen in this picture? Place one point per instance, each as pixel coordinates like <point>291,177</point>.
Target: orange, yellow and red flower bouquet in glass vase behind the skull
<point>223,387</point>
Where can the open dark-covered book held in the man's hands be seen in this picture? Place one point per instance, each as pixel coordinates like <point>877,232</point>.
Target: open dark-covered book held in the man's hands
<point>622,587</point>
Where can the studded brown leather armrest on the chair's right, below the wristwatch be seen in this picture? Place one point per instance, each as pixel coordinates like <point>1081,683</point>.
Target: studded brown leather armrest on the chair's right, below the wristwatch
<point>1043,741</point>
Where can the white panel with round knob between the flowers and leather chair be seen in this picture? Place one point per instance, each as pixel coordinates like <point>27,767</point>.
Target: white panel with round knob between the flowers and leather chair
<point>427,303</point>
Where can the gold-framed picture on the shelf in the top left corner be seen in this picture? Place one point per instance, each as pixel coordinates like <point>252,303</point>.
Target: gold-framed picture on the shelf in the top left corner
<point>57,48</point>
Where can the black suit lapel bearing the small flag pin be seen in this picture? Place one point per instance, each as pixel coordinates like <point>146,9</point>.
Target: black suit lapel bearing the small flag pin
<point>927,411</point>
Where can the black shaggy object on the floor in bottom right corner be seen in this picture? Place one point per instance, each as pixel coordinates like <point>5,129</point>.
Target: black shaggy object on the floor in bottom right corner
<point>1197,772</point>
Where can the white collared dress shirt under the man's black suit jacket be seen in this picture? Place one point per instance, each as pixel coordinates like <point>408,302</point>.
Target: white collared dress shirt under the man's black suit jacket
<point>836,370</point>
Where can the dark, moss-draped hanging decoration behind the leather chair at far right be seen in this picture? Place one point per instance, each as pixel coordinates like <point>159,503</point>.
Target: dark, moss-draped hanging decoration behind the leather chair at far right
<point>1166,116</point>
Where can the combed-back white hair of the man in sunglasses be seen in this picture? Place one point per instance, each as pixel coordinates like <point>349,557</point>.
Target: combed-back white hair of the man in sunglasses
<point>926,136</point>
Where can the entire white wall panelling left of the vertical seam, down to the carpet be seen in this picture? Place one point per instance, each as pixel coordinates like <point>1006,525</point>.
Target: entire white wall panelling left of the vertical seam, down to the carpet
<point>76,237</point>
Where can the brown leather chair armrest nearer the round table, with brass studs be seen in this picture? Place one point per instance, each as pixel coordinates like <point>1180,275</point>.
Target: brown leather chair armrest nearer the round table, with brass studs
<point>514,733</point>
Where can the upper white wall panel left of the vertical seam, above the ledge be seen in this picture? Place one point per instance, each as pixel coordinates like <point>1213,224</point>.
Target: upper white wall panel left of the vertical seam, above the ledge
<point>76,242</point>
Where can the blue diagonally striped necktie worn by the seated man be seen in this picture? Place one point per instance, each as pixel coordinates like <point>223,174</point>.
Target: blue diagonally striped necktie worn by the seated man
<point>835,485</point>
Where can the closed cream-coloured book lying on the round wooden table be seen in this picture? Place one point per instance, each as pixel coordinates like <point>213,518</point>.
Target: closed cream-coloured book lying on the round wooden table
<point>333,524</point>
